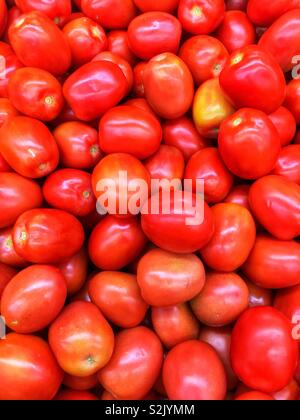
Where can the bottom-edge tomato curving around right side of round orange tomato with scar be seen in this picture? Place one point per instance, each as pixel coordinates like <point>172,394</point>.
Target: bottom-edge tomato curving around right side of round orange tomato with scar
<point>134,366</point>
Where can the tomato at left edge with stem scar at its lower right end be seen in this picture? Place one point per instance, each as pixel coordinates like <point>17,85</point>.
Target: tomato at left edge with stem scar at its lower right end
<point>29,147</point>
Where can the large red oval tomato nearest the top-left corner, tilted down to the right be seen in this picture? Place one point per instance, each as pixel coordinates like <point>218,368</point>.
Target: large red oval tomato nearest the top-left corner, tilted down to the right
<point>51,50</point>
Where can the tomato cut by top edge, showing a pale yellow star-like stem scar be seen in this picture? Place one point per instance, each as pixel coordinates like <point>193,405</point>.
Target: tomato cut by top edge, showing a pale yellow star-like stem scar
<point>201,17</point>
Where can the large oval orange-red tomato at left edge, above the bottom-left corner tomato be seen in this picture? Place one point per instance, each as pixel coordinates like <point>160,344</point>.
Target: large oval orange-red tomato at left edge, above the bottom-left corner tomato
<point>33,299</point>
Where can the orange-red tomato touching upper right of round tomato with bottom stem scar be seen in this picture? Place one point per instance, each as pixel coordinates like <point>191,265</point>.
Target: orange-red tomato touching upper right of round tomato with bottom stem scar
<point>118,297</point>
